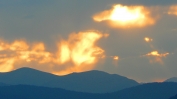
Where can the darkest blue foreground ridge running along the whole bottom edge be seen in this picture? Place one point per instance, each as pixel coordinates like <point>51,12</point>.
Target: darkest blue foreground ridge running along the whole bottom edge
<point>145,91</point>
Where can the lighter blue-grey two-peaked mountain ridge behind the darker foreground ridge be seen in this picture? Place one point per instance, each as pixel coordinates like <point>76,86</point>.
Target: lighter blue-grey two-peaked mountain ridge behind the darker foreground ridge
<point>90,81</point>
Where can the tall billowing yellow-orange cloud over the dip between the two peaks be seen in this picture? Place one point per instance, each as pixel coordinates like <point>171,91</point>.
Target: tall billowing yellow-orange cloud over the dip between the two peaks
<point>80,49</point>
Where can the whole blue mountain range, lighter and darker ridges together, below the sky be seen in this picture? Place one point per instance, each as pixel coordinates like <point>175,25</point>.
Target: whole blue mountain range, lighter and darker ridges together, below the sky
<point>28,83</point>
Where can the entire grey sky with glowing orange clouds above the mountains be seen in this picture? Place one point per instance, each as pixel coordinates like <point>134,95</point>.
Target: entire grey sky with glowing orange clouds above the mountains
<point>132,38</point>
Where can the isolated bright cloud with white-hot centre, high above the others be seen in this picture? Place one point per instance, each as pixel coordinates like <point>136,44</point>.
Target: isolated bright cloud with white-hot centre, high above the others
<point>126,16</point>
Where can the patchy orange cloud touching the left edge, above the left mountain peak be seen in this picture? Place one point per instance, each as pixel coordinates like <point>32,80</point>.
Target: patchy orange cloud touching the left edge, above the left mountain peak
<point>19,50</point>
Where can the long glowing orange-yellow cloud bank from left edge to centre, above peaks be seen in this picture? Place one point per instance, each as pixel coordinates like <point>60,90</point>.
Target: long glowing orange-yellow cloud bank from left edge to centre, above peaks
<point>79,51</point>
